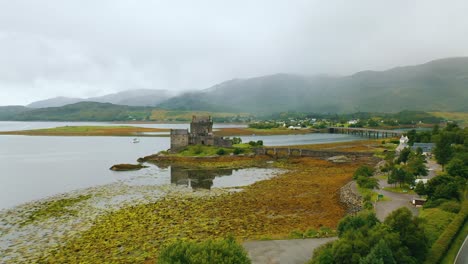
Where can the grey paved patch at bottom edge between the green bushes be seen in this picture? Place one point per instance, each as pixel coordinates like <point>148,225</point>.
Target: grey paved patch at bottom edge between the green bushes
<point>295,251</point>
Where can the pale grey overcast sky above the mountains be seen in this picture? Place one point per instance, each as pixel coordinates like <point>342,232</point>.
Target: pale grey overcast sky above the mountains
<point>89,48</point>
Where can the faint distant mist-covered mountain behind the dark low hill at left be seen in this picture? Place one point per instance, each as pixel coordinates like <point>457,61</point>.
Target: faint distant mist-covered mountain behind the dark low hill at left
<point>136,97</point>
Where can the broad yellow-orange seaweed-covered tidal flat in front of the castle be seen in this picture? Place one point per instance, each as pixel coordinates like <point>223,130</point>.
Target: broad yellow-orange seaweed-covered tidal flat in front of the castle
<point>124,223</point>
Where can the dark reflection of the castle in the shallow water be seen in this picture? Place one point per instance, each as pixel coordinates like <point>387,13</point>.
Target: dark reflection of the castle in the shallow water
<point>196,178</point>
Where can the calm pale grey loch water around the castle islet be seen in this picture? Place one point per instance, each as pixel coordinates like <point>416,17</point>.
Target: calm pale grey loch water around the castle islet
<point>34,167</point>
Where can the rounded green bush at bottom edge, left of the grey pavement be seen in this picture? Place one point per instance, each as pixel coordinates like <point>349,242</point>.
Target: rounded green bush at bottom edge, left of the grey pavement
<point>210,251</point>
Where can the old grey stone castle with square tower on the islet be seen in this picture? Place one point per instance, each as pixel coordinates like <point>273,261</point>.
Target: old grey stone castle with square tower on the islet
<point>201,133</point>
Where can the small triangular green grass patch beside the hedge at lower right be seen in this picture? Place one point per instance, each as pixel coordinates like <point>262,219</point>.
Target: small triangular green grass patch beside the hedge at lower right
<point>436,220</point>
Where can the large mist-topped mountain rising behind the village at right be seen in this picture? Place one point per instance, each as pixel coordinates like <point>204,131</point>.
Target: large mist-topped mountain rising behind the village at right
<point>440,85</point>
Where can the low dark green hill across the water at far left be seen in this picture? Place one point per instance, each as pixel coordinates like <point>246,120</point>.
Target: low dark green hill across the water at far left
<point>82,111</point>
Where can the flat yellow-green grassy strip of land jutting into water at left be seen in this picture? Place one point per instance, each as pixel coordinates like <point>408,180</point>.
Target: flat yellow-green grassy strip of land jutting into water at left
<point>87,131</point>
